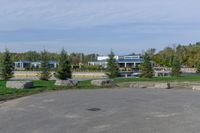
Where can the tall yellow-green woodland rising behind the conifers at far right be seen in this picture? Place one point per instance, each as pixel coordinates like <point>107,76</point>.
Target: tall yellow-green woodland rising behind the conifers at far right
<point>187,55</point>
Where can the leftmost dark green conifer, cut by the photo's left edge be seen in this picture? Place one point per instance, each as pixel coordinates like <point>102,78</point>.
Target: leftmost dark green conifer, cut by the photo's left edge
<point>6,67</point>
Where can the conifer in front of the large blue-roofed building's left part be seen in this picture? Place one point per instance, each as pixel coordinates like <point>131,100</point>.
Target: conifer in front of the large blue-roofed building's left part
<point>112,69</point>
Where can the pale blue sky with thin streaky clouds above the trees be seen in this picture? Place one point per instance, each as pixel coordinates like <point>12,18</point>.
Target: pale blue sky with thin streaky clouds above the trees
<point>88,26</point>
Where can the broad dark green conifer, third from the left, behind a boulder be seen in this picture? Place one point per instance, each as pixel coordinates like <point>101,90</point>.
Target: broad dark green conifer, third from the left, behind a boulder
<point>63,71</point>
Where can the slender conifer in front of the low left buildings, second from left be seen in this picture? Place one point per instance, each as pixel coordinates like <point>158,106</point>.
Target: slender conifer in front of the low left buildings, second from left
<point>45,70</point>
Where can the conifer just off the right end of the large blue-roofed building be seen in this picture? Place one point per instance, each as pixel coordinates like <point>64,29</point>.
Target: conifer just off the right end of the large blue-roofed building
<point>146,67</point>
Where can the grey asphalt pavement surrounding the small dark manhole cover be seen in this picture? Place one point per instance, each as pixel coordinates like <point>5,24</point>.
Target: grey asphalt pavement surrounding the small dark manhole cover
<point>122,111</point>
